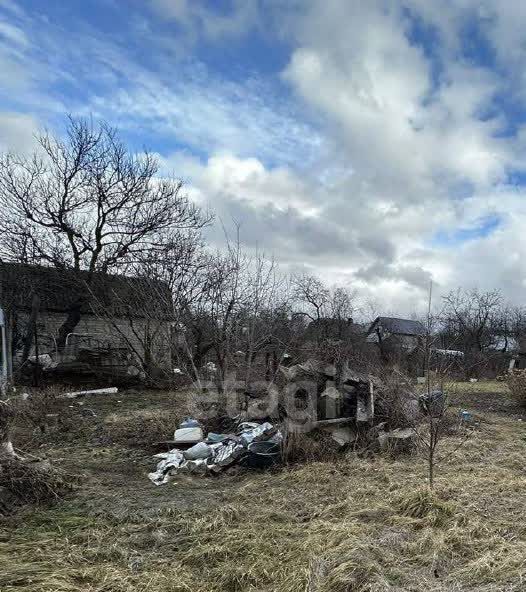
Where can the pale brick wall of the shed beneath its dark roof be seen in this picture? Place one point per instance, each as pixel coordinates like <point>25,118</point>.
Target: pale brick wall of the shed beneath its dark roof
<point>93,331</point>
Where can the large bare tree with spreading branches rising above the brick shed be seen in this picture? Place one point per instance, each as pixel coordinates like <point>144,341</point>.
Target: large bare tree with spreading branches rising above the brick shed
<point>88,204</point>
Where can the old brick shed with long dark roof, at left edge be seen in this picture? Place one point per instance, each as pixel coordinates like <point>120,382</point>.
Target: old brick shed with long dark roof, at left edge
<point>122,322</point>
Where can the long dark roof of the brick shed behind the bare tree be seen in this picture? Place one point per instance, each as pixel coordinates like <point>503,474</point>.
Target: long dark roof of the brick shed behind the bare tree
<point>58,289</point>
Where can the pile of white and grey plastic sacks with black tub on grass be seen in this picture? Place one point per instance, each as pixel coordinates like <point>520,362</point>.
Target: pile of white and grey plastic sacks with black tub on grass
<point>254,444</point>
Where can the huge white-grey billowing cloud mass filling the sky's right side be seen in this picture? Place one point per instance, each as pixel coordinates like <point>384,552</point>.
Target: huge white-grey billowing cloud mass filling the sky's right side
<point>408,140</point>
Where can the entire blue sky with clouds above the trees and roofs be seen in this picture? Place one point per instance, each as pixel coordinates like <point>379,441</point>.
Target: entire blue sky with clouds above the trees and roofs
<point>378,144</point>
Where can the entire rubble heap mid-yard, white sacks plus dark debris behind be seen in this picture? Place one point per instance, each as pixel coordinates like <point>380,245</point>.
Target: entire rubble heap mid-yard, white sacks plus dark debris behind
<point>334,399</point>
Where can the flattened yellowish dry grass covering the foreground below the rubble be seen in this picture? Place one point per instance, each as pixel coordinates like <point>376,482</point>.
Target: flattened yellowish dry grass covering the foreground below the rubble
<point>356,525</point>
